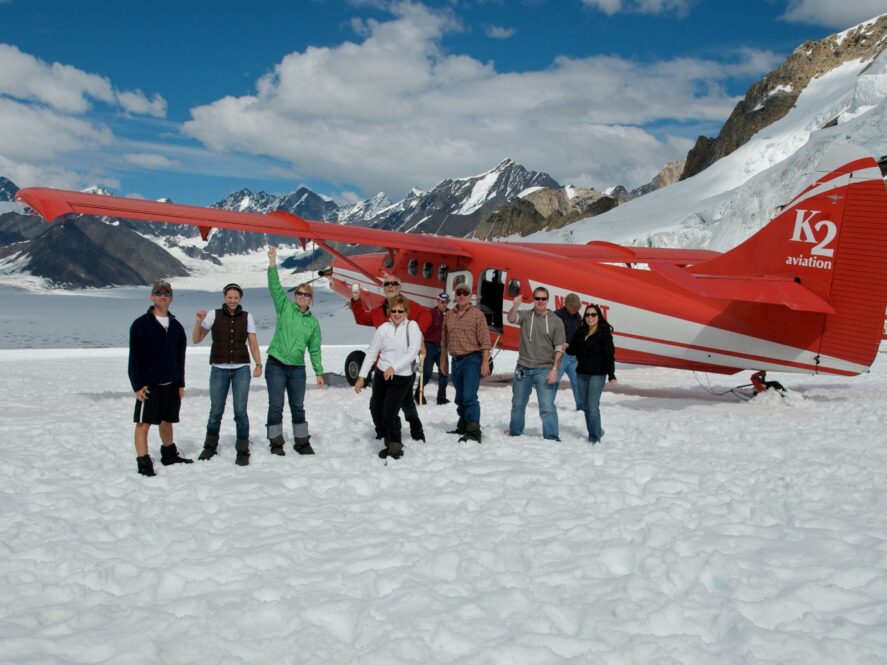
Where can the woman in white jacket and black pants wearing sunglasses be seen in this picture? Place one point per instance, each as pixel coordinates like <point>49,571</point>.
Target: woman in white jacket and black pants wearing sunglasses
<point>396,344</point>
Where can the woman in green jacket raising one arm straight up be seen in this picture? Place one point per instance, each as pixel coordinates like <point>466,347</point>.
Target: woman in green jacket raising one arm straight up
<point>296,332</point>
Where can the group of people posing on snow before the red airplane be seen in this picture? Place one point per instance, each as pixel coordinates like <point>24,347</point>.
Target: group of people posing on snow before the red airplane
<point>455,339</point>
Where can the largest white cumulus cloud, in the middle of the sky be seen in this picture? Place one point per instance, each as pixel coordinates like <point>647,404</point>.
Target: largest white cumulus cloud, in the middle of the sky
<point>393,110</point>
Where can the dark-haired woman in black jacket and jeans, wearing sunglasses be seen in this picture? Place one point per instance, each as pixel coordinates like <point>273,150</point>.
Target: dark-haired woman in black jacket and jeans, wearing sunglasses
<point>593,347</point>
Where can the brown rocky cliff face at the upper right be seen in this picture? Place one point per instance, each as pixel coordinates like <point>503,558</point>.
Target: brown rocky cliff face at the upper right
<point>772,97</point>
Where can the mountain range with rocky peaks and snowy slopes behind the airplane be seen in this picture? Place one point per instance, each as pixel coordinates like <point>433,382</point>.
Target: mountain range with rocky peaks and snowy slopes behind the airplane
<point>700,201</point>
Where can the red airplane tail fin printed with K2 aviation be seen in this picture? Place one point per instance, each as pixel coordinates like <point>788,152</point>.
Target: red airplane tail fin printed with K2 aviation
<point>826,252</point>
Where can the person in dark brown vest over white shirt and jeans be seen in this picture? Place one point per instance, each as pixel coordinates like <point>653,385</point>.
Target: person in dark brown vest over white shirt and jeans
<point>233,330</point>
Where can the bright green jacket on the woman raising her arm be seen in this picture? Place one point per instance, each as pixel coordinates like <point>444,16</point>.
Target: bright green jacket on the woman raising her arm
<point>295,332</point>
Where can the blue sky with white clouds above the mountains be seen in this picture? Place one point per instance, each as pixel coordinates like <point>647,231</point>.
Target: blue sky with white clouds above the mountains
<point>193,100</point>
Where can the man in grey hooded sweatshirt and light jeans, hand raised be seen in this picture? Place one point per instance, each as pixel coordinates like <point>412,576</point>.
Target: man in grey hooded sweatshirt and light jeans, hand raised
<point>541,347</point>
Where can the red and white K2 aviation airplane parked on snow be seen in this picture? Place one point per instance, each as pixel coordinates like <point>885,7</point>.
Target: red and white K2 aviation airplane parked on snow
<point>806,294</point>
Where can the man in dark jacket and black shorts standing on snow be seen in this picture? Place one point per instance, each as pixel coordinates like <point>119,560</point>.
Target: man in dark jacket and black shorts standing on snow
<point>157,345</point>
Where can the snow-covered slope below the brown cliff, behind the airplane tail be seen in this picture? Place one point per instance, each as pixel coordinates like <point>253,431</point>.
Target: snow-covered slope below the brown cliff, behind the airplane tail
<point>741,192</point>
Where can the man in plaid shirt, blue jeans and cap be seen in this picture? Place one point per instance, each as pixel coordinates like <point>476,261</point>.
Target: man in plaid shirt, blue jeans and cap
<point>465,336</point>
